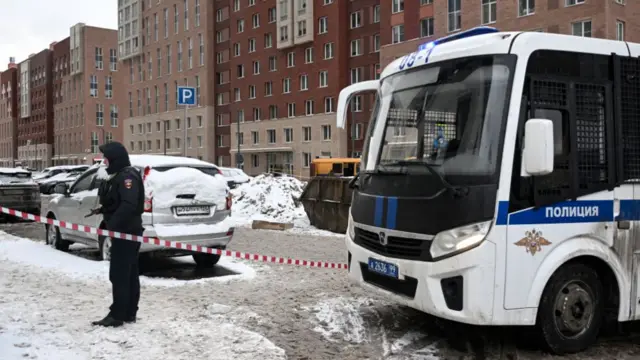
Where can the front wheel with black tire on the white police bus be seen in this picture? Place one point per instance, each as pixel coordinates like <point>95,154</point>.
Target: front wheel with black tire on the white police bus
<point>571,309</point>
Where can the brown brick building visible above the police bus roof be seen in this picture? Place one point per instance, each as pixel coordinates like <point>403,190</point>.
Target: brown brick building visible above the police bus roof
<point>406,24</point>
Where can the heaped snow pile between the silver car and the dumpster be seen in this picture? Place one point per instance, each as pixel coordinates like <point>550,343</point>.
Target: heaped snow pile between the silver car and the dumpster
<point>270,198</point>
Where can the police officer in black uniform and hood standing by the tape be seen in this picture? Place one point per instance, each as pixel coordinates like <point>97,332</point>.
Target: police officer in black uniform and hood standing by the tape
<point>122,204</point>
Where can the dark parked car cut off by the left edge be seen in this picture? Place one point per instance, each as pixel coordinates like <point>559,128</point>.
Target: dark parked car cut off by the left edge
<point>18,191</point>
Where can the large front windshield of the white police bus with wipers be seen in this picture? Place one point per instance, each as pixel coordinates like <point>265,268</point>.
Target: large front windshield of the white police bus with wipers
<point>448,117</point>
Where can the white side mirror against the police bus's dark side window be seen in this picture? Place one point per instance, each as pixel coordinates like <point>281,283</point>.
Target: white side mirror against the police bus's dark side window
<point>537,157</point>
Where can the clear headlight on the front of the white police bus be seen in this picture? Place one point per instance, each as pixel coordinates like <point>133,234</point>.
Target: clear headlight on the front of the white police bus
<point>459,239</point>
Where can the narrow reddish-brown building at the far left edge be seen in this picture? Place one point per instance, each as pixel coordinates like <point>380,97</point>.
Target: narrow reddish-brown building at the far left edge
<point>8,114</point>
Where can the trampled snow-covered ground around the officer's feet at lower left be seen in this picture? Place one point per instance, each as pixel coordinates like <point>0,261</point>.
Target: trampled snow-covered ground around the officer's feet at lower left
<point>49,298</point>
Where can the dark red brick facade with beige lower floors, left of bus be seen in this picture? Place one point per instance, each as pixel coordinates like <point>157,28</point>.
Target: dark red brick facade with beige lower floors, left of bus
<point>280,68</point>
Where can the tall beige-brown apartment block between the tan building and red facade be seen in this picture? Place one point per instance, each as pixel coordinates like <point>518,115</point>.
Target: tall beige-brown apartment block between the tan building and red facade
<point>162,45</point>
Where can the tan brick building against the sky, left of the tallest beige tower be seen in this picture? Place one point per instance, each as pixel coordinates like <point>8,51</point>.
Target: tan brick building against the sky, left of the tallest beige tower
<point>88,92</point>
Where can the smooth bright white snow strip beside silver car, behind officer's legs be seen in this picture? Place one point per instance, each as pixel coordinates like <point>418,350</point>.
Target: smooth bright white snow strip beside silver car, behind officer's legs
<point>42,257</point>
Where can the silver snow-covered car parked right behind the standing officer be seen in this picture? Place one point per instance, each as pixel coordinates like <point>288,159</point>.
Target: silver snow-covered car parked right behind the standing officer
<point>186,200</point>
